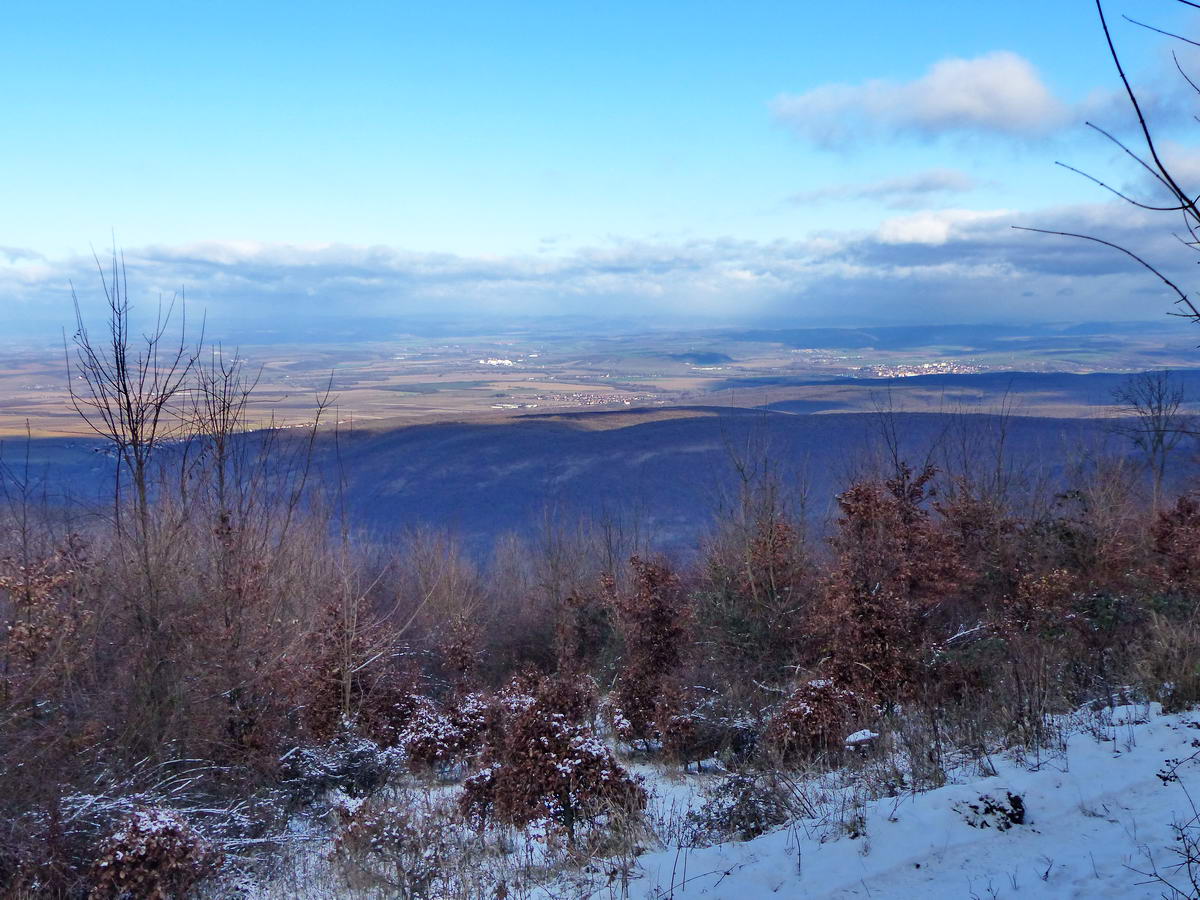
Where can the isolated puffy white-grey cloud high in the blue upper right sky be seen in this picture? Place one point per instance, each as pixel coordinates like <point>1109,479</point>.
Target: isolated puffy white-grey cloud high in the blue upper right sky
<point>999,93</point>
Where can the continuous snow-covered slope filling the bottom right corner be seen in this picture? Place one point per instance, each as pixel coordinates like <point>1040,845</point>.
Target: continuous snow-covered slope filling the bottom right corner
<point>1095,814</point>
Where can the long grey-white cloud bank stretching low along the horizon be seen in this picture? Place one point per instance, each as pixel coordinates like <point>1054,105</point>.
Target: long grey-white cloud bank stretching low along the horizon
<point>944,266</point>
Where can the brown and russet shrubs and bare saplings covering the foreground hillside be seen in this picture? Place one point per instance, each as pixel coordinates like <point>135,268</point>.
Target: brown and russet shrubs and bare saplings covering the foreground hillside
<point>207,683</point>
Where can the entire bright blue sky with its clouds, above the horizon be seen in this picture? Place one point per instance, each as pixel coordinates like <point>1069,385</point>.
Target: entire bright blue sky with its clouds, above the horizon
<point>657,158</point>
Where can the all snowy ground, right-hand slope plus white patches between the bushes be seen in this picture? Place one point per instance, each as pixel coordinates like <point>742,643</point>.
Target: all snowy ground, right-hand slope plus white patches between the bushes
<point>1090,819</point>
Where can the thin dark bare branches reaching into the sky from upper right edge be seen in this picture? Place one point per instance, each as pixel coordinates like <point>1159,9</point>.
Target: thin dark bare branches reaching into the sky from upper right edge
<point>1145,152</point>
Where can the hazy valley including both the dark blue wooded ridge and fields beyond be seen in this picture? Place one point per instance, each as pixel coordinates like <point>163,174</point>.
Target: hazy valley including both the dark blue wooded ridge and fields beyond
<point>481,437</point>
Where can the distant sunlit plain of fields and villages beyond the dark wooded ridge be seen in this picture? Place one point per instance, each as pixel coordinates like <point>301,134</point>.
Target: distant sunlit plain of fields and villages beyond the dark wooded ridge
<point>495,379</point>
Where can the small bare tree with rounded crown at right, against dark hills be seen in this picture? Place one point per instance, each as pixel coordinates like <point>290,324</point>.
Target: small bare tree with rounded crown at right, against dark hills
<point>1150,406</point>
